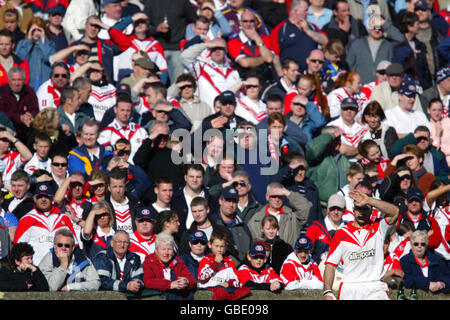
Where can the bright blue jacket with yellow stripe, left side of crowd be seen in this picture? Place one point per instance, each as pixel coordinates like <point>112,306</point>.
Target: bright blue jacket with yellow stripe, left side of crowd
<point>79,160</point>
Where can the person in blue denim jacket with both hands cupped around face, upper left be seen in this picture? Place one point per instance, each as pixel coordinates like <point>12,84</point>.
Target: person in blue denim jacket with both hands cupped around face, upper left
<point>37,48</point>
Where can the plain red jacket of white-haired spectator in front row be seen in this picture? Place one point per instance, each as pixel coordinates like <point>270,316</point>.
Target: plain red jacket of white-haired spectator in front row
<point>154,274</point>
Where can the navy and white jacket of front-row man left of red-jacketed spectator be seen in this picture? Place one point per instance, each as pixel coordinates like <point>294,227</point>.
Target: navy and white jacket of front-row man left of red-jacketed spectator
<point>109,271</point>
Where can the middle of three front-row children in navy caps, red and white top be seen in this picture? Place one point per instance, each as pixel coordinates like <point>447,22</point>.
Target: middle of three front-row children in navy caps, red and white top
<point>255,274</point>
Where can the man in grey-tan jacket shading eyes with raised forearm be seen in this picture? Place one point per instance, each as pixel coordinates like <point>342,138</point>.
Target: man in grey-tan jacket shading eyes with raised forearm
<point>292,217</point>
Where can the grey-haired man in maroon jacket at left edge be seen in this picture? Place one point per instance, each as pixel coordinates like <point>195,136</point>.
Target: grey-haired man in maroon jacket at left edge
<point>18,101</point>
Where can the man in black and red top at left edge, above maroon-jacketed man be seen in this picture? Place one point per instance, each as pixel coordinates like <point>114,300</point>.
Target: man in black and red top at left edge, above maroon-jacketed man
<point>9,59</point>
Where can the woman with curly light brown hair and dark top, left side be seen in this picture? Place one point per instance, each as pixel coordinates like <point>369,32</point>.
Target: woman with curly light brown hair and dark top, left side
<point>47,121</point>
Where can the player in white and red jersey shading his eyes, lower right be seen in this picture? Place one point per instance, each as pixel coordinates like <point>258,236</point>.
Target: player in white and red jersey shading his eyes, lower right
<point>359,246</point>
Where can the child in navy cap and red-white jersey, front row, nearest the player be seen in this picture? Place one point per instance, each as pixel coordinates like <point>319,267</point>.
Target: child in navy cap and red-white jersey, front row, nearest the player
<point>299,271</point>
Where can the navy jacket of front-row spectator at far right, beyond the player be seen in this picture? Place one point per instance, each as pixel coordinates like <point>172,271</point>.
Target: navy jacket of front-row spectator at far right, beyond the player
<point>437,271</point>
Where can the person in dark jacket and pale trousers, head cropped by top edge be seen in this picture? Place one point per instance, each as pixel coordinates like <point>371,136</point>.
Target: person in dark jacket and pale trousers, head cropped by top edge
<point>168,25</point>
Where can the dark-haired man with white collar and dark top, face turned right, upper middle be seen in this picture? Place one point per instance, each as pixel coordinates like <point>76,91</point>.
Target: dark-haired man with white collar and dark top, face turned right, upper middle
<point>286,82</point>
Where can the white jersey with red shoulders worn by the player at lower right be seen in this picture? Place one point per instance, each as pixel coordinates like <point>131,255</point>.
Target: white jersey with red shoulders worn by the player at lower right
<point>360,250</point>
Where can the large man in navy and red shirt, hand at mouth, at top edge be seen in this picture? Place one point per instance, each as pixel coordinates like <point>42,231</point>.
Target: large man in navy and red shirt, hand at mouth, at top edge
<point>295,37</point>
